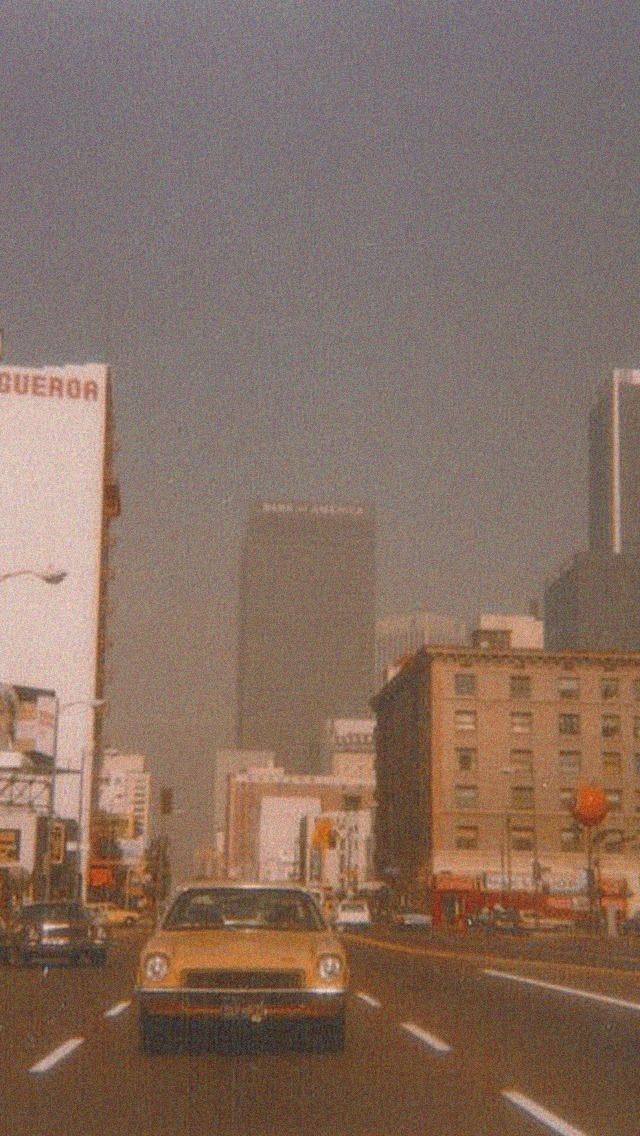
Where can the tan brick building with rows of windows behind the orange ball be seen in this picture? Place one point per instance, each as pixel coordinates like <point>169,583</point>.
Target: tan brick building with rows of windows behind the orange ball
<point>479,756</point>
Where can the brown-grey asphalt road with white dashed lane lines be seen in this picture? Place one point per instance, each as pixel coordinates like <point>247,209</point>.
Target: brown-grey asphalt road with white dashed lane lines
<point>440,1041</point>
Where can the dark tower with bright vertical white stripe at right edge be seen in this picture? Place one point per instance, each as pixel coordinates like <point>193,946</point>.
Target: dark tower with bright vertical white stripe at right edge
<point>614,466</point>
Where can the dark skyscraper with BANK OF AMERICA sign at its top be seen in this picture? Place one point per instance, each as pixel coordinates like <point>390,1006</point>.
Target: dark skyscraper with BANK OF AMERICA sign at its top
<point>307,627</point>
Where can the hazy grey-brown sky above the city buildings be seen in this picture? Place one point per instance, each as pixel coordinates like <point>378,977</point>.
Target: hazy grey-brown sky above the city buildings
<point>375,252</point>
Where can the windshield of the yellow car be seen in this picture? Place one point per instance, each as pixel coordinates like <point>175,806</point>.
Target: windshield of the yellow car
<point>232,908</point>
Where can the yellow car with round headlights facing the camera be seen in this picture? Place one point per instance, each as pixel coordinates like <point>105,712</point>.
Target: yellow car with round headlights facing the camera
<point>242,954</point>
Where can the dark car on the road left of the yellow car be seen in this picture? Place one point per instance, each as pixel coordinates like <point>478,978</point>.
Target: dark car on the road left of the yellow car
<point>57,931</point>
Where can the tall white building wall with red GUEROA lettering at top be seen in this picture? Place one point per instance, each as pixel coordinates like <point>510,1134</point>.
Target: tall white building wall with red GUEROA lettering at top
<point>53,435</point>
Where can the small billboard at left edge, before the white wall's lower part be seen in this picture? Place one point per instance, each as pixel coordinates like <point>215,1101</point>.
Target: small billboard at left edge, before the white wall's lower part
<point>28,722</point>
